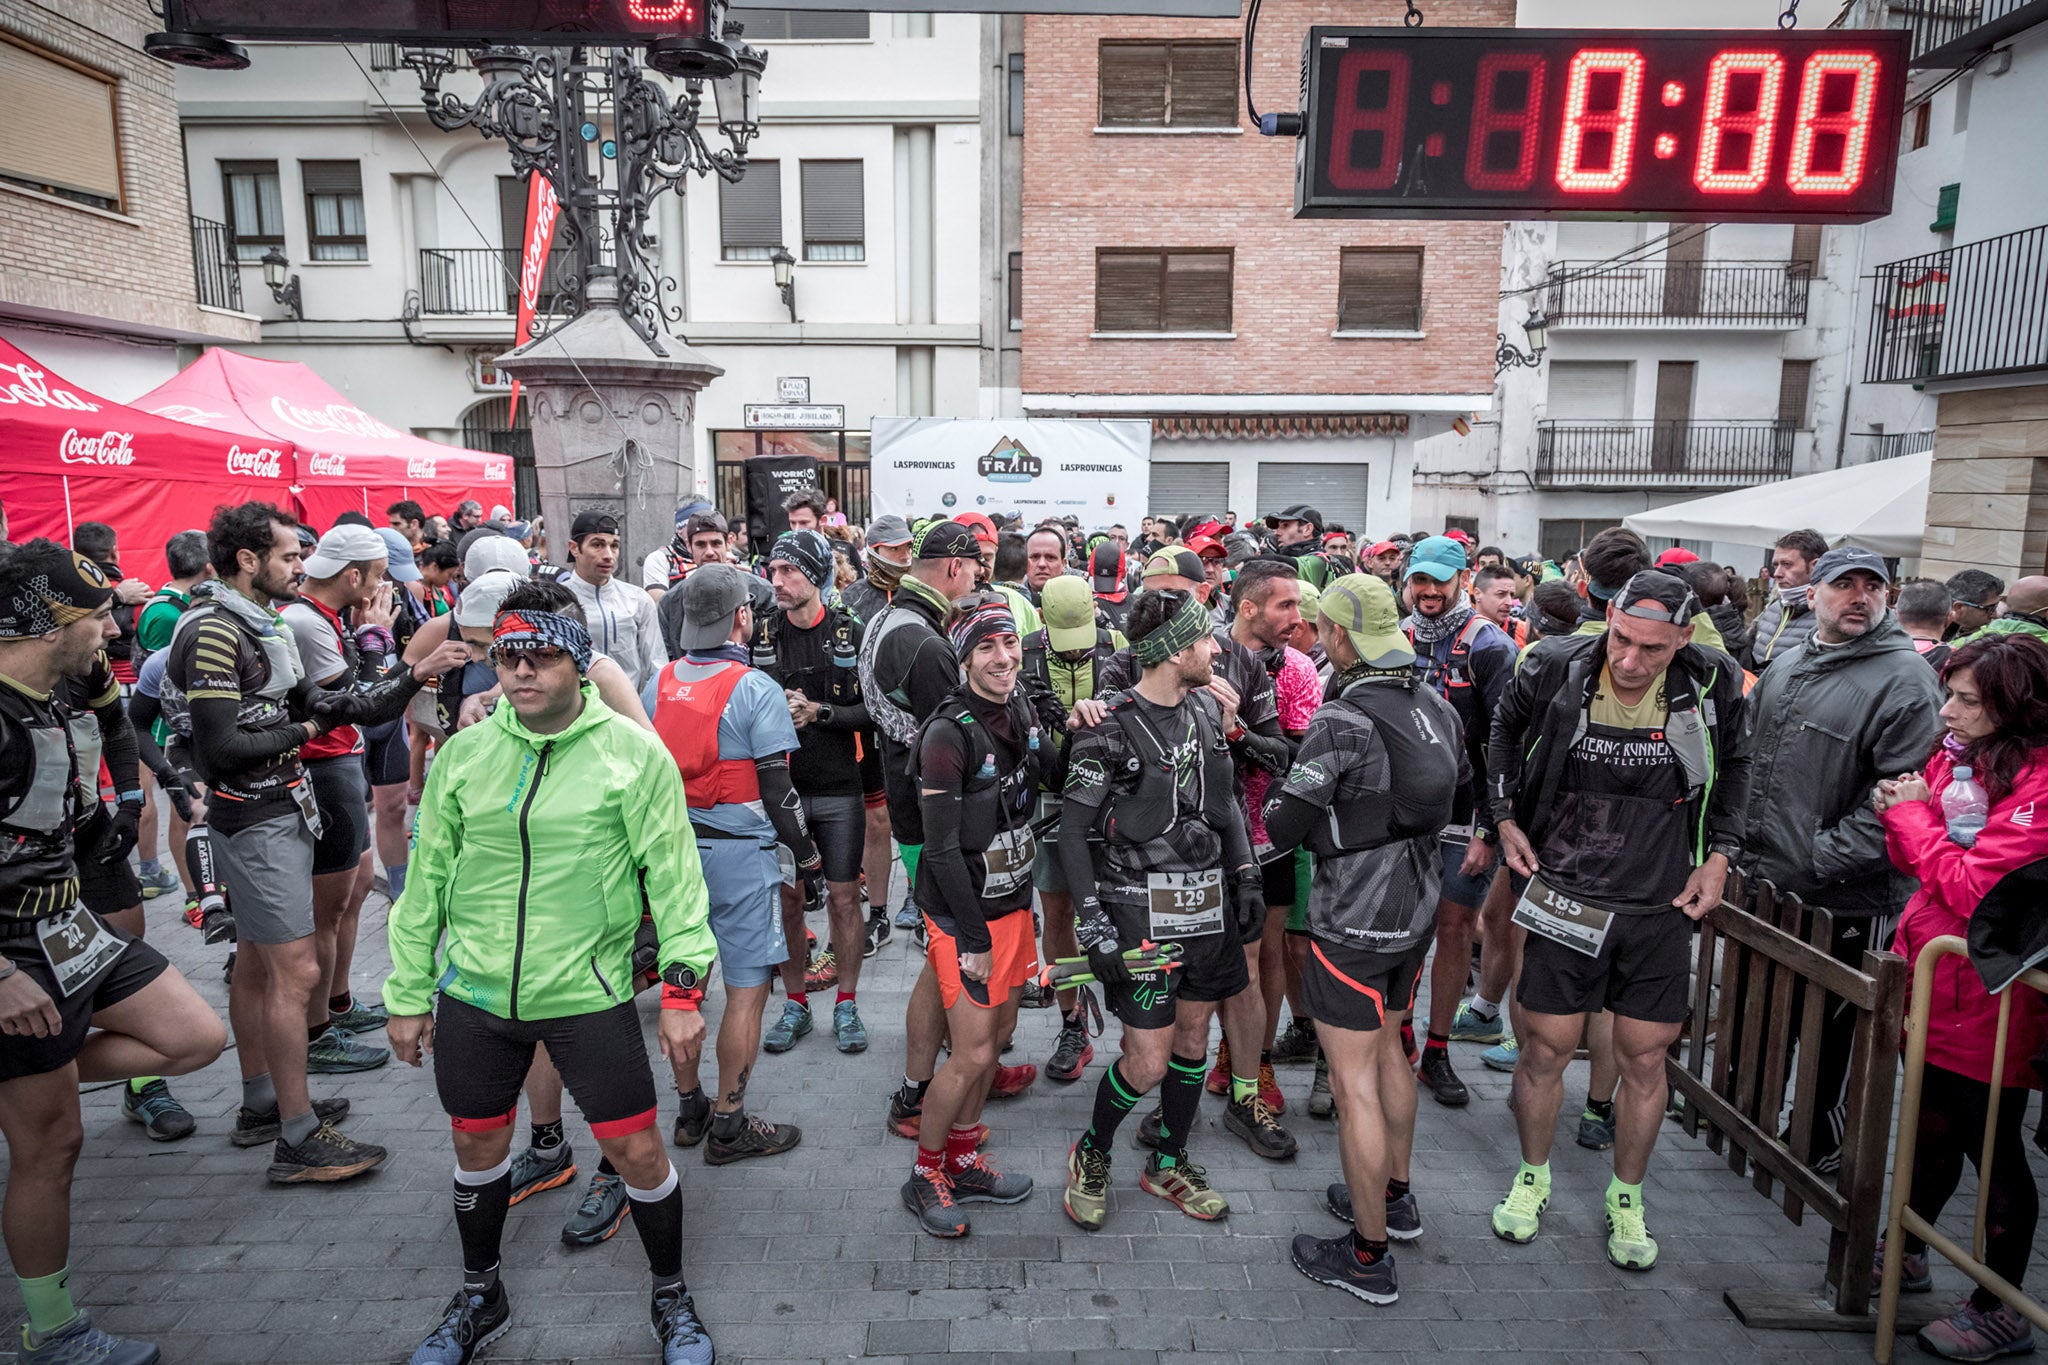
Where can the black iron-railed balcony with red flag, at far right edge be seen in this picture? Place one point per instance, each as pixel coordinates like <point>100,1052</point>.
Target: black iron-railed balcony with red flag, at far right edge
<point>1967,312</point>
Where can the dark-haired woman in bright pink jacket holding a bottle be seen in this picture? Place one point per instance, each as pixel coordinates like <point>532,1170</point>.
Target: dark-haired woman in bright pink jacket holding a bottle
<point>1998,725</point>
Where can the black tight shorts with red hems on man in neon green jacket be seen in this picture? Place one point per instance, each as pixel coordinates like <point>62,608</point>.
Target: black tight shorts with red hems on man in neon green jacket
<point>480,1063</point>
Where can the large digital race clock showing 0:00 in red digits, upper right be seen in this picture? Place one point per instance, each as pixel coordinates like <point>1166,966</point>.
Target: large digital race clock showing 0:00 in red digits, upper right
<point>1707,126</point>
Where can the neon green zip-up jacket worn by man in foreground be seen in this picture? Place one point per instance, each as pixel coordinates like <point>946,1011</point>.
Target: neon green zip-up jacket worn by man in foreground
<point>525,885</point>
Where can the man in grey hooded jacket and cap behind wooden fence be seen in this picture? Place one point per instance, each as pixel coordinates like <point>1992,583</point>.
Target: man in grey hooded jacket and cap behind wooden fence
<point>1826,721</point>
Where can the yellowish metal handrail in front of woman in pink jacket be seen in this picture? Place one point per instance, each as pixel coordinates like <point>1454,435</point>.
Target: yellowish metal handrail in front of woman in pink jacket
<point>1906,1221</point>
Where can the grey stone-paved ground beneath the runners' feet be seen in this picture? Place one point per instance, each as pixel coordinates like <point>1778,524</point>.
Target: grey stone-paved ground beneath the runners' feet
<point>812,1258</point>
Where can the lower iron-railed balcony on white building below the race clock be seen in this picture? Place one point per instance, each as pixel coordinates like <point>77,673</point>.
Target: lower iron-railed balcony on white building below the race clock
<point>1664,455</point>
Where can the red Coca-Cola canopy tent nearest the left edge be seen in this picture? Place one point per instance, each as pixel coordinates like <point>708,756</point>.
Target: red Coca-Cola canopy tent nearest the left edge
<point>69,457</point>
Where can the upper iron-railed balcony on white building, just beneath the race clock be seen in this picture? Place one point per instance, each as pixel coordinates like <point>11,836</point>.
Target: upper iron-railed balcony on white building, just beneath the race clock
<point>1721,294</point>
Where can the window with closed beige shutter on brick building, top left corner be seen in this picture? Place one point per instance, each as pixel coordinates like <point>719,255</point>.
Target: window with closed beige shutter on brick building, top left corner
<point>60,128</point>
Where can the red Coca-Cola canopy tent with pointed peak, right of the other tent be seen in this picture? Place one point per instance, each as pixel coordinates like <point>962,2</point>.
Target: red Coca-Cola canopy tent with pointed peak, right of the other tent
<point>347,459</point>
